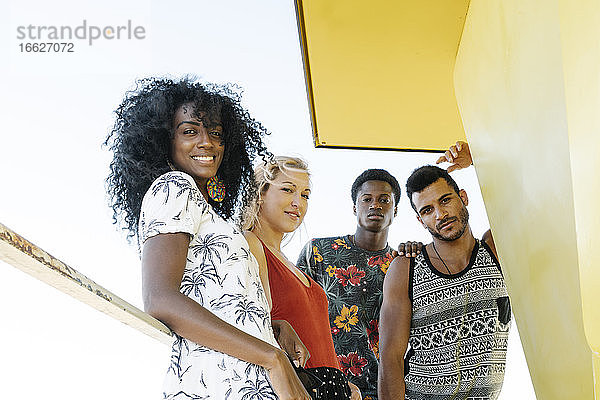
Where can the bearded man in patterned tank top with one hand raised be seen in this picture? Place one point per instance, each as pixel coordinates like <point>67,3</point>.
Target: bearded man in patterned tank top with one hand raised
<point>449,303</point>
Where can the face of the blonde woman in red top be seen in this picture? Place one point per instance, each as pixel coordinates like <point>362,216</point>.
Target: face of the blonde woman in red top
<point>285,202</point>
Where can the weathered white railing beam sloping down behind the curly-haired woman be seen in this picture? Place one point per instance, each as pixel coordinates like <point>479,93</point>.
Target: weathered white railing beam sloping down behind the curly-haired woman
<point>24,255</point>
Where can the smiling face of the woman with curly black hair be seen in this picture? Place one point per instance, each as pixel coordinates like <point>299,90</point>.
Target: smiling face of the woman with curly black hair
<point>196,149</point>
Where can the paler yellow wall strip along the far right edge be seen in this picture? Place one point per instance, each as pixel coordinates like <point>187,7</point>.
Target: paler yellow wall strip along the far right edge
<point>580,37</point>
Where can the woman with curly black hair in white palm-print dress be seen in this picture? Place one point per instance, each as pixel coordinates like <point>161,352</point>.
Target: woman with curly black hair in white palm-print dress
<point>181,165</point>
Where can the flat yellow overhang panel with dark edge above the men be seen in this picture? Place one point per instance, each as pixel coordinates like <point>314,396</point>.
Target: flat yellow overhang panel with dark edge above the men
<point>380,73</point>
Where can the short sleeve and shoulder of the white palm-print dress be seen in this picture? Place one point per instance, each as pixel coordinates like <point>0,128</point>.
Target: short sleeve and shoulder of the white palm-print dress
<point>173,204</point>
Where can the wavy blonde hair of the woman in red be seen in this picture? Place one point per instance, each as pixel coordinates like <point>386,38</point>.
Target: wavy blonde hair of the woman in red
<point>264,175</point>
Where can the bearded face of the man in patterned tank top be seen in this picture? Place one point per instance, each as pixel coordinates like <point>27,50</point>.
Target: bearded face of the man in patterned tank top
<point>442,211</point>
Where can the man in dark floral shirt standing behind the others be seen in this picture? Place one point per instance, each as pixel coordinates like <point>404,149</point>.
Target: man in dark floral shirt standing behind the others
<point>351,269</point>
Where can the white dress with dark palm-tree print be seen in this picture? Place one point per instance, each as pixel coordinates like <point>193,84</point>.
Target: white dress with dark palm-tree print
<point>223,277</point>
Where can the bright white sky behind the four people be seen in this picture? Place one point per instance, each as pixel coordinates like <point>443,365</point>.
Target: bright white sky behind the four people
<point>56,111</point>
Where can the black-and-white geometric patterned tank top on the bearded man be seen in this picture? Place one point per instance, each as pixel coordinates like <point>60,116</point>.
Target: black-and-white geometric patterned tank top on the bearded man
<point>459,329</point>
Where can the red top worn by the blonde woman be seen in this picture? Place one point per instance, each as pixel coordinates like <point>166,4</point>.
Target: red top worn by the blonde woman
<point>305,308</point>
